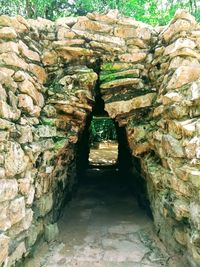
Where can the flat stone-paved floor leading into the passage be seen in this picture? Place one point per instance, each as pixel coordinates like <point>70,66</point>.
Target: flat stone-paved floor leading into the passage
<point>103,227</point>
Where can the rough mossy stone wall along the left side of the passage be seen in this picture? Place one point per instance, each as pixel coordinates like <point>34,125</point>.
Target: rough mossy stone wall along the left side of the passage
<point>42,112</point>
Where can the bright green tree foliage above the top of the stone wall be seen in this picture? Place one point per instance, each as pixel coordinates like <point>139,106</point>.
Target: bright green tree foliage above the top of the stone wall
<point>155,12</point>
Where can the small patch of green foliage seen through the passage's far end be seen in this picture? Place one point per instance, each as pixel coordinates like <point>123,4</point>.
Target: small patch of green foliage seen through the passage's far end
<point>102,128</point>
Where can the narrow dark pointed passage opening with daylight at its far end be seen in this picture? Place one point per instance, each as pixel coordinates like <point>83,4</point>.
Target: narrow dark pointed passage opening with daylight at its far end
<point>104,154</point>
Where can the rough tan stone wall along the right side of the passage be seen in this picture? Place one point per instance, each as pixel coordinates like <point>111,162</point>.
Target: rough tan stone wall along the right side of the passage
<point>170,137</point>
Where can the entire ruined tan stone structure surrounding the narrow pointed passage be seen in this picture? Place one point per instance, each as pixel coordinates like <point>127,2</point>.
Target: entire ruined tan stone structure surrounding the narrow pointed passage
<point>149,81</point>
